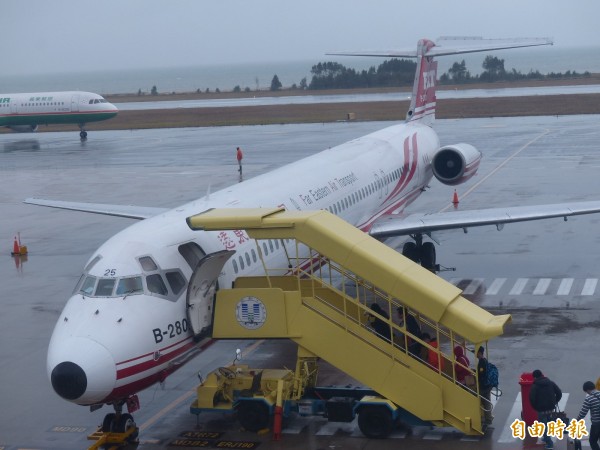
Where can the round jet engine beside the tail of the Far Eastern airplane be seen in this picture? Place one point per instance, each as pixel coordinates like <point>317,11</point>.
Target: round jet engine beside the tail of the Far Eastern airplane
<point>455,164</point>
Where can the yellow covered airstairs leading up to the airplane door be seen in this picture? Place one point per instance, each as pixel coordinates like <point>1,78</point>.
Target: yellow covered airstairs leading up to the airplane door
<point>322,300</point>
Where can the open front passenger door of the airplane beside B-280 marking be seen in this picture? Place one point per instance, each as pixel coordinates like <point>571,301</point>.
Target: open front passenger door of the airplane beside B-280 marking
<point>201,290</point>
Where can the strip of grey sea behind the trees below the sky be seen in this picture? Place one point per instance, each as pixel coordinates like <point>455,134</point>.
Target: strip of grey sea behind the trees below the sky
<point>258,76</point>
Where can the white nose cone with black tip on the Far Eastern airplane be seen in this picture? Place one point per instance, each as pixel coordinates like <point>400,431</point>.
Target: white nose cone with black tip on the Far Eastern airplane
<point>80,369</point>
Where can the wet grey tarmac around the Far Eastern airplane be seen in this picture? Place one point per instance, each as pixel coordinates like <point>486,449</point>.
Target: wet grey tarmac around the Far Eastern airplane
<point>544,273</point>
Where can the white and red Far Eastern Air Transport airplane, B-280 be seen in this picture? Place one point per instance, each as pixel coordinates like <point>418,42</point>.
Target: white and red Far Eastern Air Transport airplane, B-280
<point>137,312</point>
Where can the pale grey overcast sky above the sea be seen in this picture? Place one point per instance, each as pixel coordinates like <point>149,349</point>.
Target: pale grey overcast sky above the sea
<point>42,36</point>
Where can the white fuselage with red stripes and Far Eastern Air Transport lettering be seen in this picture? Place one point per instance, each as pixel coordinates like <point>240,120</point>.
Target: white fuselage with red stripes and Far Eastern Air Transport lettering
<point>359,181</point>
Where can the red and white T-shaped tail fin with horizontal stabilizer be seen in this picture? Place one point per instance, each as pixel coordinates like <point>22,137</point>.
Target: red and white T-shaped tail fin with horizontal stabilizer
<point>423,100</point>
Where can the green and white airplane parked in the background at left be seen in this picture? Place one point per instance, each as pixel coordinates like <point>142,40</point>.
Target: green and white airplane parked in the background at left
<point>24,112</point>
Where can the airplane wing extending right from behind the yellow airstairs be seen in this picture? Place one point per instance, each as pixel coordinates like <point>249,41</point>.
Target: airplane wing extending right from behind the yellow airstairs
<point>397,225</point>
